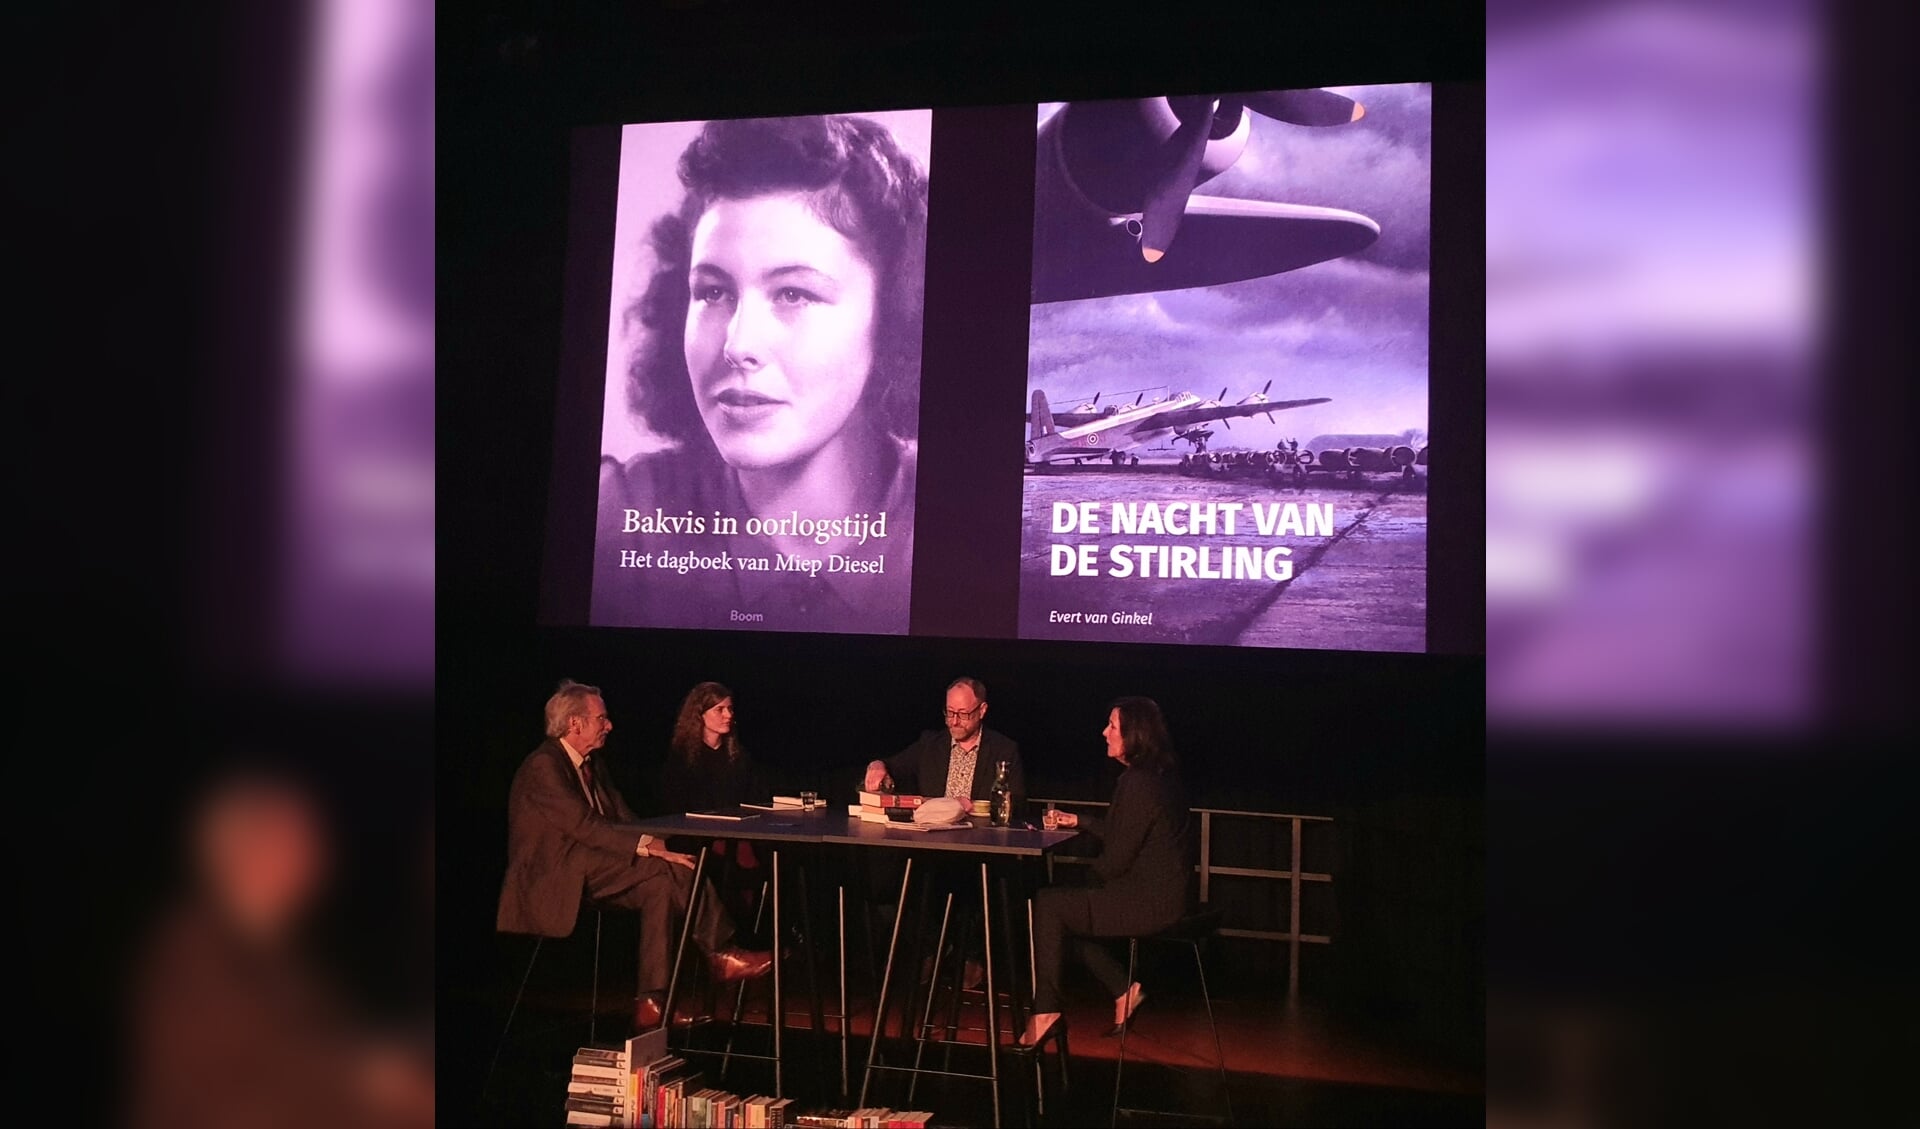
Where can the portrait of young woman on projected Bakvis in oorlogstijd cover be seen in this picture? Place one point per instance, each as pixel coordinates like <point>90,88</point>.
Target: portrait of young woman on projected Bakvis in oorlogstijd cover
<point>782,358</point>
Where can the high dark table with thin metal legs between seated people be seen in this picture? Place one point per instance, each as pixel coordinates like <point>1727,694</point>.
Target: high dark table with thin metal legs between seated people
<point>830,827</point>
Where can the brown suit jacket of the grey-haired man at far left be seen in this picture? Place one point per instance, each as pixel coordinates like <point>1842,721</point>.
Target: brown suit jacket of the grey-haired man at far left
<point>556,840</point>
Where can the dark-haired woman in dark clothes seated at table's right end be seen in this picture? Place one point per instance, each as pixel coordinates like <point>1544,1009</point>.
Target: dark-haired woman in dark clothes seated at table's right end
<point>1141,878</point>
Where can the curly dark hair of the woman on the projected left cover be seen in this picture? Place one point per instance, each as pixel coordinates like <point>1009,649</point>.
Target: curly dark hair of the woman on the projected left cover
<point>863,185</point>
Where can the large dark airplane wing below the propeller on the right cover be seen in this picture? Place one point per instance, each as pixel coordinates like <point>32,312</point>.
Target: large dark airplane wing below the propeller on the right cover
<point>1222,241</point>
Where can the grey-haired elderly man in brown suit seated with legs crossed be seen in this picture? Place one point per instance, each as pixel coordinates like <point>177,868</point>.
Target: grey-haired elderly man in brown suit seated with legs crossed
<point>565,842</point>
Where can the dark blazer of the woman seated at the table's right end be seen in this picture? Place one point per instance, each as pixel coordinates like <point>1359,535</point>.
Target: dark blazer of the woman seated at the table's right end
<point>1145,865</point>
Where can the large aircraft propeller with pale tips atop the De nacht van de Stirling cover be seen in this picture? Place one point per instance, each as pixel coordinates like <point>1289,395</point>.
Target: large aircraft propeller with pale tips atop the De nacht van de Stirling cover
<point>1184,151</point>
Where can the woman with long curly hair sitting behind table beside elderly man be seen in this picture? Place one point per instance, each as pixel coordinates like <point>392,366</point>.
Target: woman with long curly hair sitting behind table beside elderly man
<point>709,769</point>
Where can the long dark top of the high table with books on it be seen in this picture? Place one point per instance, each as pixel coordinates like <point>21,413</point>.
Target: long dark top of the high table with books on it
<point>838,827</point>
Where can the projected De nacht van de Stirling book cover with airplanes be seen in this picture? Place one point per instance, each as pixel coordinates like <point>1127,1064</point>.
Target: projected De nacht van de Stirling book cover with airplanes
<point>1228,372</point>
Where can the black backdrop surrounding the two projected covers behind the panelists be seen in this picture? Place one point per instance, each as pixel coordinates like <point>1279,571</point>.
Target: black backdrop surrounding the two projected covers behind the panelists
<point>1387,744</point>
